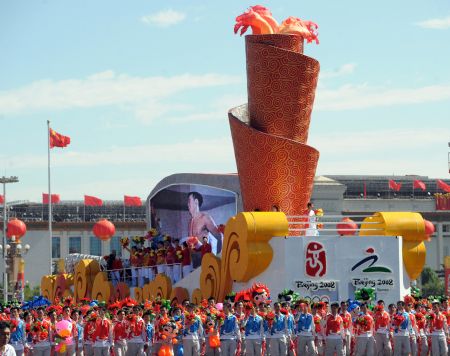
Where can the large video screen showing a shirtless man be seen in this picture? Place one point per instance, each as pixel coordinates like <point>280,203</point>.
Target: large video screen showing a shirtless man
<point>185,210</point>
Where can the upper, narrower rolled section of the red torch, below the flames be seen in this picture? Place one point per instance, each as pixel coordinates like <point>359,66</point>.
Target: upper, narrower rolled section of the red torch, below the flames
<point>281,84</point>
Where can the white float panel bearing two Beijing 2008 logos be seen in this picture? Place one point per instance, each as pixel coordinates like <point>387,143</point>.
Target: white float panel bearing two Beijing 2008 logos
<point>332,268</point>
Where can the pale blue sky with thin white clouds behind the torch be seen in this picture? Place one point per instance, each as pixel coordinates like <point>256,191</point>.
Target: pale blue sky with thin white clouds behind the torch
<point>143,89</point>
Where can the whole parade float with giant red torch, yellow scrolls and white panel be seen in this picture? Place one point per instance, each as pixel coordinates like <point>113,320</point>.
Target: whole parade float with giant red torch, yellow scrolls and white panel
<point>385,254</point>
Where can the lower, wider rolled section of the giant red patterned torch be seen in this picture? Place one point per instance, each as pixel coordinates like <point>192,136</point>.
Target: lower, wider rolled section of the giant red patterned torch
<point>272,170</point>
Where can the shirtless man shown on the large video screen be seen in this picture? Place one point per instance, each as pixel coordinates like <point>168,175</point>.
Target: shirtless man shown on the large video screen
<point>202,223</point>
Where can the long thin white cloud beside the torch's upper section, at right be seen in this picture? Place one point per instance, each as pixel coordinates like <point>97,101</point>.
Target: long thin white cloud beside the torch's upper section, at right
<point>351,97</point>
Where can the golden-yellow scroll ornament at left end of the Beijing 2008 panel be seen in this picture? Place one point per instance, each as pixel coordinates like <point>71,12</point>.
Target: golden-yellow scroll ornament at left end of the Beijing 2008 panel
<point>246,252</point>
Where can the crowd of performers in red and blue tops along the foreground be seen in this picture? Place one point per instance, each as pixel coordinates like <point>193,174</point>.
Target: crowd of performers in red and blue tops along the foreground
<point>247,323</point>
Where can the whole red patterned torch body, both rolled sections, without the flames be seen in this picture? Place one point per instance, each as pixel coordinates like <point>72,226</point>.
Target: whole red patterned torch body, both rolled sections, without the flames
<point>275,165</point>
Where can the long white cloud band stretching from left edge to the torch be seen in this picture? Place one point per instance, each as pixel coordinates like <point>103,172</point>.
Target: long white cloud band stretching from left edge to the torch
<point>144,95</point>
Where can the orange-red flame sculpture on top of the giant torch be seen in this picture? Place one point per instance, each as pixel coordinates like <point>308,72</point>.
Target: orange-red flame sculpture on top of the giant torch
<point>261,21</point>
